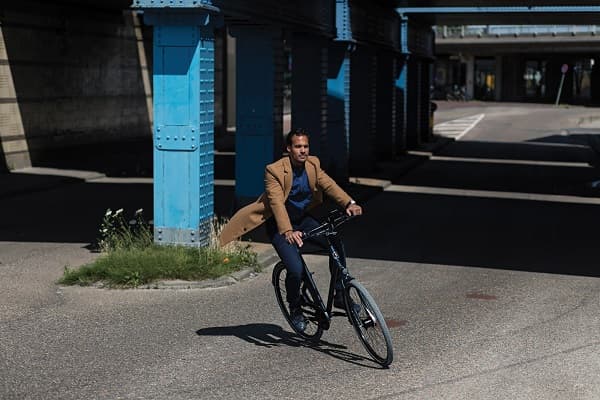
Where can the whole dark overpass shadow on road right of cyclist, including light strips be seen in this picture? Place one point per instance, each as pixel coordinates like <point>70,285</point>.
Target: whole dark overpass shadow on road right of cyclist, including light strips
<point>527,216</point>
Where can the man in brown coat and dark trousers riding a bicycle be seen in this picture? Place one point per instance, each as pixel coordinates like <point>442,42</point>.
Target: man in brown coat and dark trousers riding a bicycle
<point>293,186</point>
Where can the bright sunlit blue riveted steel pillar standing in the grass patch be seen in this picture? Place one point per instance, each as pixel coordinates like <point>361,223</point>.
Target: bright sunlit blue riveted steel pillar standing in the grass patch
<point>183,99</point>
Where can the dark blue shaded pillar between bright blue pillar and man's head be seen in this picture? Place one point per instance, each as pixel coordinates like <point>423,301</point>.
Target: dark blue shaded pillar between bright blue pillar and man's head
<point>259,106</point>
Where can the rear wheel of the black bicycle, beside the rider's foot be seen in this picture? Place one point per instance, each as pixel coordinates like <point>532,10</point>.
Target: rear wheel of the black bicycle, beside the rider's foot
<point>314,328</point>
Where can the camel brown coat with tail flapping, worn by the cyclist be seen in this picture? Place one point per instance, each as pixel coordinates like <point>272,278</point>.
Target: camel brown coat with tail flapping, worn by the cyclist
<point>278,183</point>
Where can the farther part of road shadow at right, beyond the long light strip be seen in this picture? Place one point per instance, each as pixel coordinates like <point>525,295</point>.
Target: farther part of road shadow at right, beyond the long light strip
<point>507,177</point>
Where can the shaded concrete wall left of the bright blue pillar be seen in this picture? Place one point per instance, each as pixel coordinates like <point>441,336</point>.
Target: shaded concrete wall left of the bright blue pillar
<point>70,76</point>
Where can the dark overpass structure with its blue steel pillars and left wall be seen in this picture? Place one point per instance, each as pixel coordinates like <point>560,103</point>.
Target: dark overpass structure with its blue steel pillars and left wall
<point>85,72</point>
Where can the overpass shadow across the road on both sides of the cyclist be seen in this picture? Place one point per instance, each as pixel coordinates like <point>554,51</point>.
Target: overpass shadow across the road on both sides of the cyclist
<point>486,220</point>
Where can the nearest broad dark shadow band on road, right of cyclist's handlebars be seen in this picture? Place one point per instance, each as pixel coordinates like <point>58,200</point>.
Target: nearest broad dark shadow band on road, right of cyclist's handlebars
<point>468,231</point>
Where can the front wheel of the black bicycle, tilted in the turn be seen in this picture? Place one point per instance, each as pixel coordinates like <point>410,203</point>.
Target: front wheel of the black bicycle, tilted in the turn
<point>369,324</point>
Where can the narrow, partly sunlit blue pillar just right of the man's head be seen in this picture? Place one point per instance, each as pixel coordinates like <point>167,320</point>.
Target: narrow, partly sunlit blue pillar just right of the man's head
<point>338,94</point>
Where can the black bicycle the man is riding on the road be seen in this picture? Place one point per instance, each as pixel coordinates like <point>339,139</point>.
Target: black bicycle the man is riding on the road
<point>361,310</point>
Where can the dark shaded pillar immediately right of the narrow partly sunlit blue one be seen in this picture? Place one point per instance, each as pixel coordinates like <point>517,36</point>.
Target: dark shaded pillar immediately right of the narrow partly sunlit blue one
<point>363,122</point>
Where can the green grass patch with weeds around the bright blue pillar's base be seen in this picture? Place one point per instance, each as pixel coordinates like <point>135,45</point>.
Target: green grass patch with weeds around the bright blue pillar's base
<point>130,258</point>
